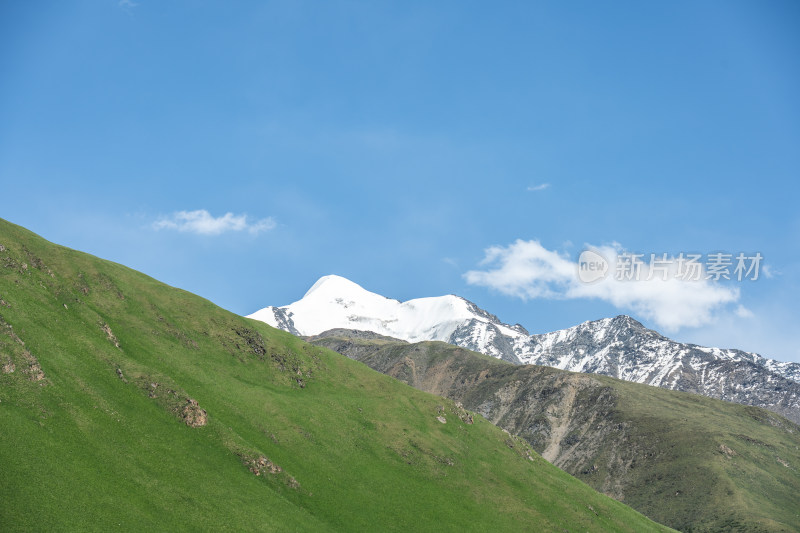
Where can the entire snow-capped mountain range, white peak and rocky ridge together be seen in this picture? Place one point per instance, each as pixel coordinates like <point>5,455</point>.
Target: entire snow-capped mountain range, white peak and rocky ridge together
<point>619,347</point>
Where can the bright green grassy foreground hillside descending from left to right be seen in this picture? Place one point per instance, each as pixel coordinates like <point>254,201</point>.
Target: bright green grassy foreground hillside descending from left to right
<point>126,404</point>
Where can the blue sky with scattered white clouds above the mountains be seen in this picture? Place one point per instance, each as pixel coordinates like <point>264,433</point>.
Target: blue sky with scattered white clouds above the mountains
<point>394,143</point>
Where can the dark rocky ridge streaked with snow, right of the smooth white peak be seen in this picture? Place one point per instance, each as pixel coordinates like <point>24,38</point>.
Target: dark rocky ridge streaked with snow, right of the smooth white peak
<point>623,348</point>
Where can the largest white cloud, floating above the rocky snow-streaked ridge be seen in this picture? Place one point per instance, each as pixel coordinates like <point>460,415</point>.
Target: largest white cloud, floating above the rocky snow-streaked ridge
<point>527,270</point>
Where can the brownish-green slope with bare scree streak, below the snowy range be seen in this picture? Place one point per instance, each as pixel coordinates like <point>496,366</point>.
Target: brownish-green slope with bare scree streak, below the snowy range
<point>688,461</point>
